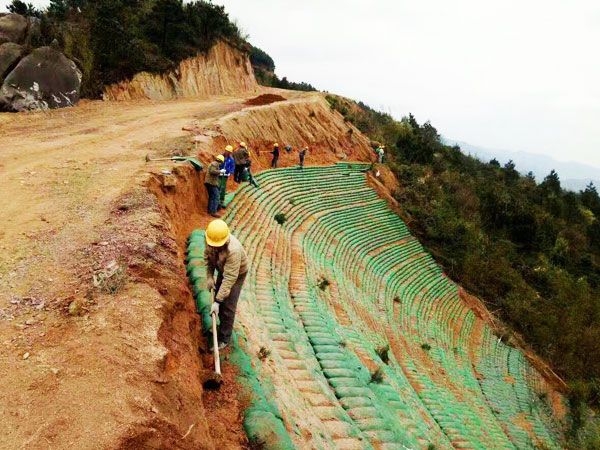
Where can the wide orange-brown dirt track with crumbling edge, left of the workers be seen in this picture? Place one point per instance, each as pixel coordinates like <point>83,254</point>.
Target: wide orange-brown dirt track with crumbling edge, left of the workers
<point>82,367</point>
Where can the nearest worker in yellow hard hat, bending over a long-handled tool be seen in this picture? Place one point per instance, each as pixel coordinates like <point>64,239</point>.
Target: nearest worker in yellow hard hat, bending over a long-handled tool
<point>225,254</point>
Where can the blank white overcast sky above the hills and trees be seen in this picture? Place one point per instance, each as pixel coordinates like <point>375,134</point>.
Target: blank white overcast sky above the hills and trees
<point>516,75</point>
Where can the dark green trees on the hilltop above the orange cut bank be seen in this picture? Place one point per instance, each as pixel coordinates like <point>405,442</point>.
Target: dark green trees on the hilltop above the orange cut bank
<point>111,40</point>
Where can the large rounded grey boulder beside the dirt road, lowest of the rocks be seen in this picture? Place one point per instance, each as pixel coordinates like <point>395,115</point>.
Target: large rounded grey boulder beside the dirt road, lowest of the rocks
<point>43,79</point>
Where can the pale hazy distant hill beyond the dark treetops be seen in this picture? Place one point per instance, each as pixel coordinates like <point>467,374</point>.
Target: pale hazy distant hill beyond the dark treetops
<point>573,175</point>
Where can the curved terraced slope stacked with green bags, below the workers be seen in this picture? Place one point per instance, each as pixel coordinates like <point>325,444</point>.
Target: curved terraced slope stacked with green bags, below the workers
<point>370,344</point>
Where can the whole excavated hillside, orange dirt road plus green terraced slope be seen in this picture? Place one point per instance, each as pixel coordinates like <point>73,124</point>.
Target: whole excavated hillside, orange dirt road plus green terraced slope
<point>349,334</point>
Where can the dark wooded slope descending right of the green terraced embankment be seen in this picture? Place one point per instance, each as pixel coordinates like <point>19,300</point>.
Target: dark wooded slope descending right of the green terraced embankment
<point>530,250</point>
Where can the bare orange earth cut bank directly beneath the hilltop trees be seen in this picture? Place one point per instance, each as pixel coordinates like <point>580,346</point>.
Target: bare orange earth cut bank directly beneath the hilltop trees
<point>223,70</point>
